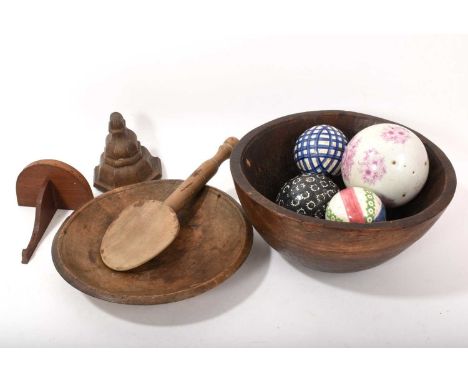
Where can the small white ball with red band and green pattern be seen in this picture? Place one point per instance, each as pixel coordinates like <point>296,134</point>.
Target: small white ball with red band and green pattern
<point>355,205</point>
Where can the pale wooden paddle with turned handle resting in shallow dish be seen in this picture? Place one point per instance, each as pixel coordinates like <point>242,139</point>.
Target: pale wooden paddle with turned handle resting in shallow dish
<point>146,228</point>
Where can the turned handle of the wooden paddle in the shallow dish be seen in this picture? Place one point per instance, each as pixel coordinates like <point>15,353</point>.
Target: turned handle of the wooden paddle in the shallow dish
<point>200,176</point>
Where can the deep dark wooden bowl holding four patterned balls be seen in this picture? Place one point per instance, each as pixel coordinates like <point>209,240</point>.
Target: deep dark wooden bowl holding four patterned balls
<point>263,161</point>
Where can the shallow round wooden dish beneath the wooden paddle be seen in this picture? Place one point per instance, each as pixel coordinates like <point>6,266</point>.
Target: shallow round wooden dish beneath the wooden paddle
<point>214,240</point>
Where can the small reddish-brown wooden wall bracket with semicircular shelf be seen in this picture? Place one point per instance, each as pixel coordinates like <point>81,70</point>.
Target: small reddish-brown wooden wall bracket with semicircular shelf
<point>49,185</point>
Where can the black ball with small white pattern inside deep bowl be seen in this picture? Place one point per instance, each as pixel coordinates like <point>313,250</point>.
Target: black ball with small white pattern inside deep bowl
<point>307,194</point>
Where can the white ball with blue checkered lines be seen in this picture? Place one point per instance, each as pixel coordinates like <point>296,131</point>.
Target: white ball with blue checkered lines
<point>320,149</point>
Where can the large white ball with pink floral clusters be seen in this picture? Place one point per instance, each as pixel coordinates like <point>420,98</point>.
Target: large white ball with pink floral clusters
<point>387,159</point>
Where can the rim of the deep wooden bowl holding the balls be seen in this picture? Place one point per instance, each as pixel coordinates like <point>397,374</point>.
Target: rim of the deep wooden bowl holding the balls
<point>437,207</point>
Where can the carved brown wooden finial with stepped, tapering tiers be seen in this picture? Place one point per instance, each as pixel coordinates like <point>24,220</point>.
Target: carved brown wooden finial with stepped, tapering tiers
<point>124,161</point>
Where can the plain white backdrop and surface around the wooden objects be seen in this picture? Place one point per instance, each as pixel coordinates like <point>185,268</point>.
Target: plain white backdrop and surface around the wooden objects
<point>184,83</point>
